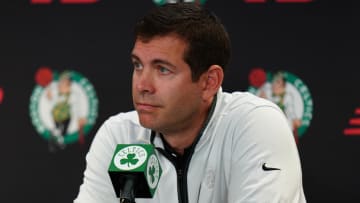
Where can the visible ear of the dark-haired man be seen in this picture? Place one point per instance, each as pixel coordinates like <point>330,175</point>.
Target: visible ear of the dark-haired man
<point>212,80</point>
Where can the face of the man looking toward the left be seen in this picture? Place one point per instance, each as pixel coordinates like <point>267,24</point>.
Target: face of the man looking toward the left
<point>165,97</point>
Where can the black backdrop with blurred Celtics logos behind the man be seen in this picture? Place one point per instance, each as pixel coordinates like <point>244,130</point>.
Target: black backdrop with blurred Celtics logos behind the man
<point>314,44</point>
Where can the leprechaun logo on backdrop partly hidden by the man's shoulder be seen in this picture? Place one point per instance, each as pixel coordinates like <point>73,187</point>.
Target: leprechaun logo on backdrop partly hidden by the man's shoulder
<point>287,91</point>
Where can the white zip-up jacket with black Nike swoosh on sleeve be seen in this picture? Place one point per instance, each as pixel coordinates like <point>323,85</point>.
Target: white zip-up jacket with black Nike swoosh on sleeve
<point>246,153</point>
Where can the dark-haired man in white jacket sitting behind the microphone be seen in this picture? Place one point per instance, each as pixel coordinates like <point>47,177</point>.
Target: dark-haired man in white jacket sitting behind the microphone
<point>215,147</point>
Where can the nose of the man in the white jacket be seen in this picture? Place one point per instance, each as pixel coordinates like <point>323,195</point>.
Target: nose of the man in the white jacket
<point>143,82</point>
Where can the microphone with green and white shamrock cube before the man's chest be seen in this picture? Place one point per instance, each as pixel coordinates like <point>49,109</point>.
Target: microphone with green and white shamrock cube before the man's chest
<point>134,171</point>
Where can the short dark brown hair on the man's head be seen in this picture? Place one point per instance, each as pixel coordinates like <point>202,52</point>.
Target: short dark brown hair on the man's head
<point>208,41</point>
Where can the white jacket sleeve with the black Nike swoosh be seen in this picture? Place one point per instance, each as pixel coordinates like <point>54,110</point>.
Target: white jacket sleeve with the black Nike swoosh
<point>265,165</point>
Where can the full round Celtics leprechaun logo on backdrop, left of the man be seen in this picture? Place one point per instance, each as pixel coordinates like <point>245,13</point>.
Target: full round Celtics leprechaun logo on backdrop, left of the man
<point>63,107</point>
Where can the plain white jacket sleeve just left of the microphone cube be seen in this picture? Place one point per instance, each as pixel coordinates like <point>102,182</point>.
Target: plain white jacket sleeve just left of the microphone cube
<point>97,186</point>
